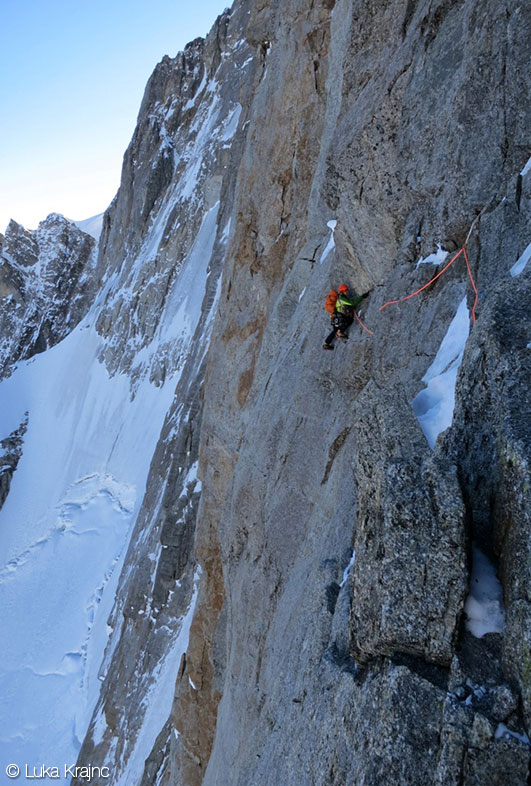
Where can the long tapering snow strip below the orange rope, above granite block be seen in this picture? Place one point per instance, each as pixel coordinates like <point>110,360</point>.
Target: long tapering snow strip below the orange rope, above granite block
<point>434,406</point>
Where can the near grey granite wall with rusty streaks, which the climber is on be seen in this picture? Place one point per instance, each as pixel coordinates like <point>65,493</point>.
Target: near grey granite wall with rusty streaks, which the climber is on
<point>402,123</point>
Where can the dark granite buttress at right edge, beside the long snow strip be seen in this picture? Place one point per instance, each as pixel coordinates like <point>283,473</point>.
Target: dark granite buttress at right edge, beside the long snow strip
<point>492,436</point>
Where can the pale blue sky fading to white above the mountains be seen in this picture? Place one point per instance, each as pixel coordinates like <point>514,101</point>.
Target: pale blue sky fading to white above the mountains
<point>72,76</point>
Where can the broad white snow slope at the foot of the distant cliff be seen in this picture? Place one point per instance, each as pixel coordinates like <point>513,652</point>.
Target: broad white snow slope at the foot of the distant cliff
<point>66,523</point>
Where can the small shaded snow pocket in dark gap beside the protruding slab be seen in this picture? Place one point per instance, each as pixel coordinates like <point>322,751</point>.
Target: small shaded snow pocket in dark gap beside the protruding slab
<point>484,606</point>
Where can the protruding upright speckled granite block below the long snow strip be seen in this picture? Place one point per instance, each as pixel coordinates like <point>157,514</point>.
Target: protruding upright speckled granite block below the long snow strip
<point>409,578</point>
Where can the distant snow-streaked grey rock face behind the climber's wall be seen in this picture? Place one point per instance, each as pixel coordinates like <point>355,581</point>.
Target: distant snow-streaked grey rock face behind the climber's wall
<point>161,254</point>
